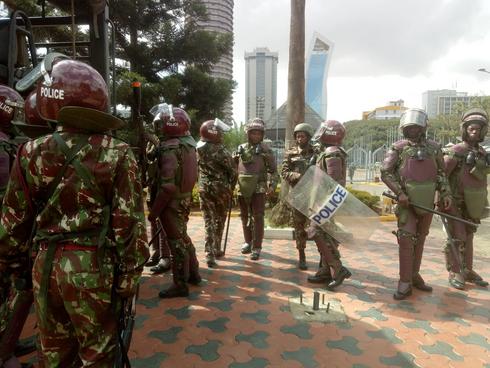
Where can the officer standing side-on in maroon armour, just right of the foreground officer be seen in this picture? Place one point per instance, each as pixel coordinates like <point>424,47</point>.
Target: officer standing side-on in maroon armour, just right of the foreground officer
<point>178,174</point>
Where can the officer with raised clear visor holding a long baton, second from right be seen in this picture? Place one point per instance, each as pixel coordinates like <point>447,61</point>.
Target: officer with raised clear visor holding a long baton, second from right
<point>413,170</point>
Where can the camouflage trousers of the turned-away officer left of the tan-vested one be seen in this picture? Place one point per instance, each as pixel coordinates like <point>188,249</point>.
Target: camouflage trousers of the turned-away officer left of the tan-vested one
<point>214,210</point>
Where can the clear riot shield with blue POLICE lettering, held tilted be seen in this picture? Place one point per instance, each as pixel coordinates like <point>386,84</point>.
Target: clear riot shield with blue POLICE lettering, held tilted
<point>329,205</point>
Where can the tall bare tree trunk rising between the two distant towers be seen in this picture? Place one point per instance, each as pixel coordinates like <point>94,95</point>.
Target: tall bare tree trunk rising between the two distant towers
<point>296,71</point>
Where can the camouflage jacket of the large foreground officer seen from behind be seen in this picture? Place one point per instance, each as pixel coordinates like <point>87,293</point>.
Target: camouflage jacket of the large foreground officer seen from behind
<point>105,199</point>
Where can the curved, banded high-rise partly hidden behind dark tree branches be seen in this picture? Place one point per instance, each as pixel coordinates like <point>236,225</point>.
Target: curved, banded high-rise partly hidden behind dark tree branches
<point>220,19</point>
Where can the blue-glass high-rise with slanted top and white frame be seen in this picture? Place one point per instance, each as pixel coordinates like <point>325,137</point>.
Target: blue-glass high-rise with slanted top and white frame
<point>317,62</point>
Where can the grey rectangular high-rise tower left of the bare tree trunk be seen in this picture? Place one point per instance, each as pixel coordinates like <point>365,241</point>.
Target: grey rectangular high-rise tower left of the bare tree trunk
<point>260,83</point>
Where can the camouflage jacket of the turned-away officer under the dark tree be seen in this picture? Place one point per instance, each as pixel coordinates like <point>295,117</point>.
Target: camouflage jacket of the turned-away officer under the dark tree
<point>217,171</point>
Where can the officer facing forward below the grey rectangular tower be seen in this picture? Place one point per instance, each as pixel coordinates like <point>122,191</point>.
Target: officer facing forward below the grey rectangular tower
<point>257,178</point>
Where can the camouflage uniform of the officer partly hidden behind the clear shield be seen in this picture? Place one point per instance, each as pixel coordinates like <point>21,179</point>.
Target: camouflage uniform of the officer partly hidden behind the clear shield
<point>296,162</point>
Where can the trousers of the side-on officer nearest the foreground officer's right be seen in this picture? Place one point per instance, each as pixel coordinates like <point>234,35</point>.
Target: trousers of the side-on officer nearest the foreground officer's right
<point>174,219</point>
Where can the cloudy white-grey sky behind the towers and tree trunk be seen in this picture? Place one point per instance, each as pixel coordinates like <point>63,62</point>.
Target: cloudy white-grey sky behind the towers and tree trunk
<point>383,49</point>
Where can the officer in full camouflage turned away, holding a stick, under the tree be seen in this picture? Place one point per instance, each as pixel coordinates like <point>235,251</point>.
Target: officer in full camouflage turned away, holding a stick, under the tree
<point>217,179</point>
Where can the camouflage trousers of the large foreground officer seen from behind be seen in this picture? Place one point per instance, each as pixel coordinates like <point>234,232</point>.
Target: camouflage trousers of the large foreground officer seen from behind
<point>78,326</point>
